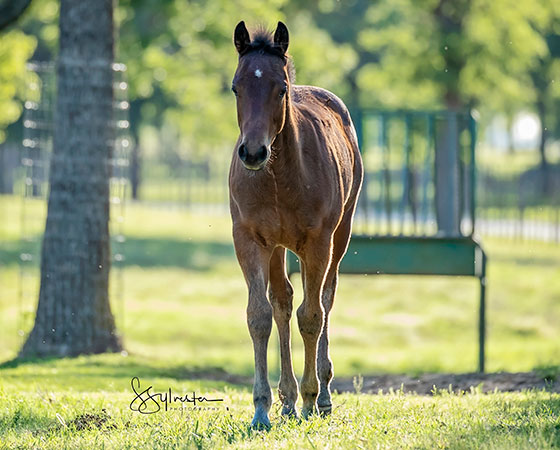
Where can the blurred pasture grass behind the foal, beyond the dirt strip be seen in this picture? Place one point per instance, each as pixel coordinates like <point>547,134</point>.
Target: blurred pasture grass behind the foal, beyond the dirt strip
<point>184,300</point>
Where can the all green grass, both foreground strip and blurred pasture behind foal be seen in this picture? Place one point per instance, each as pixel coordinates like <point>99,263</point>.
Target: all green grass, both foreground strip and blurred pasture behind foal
<point>182,316</point>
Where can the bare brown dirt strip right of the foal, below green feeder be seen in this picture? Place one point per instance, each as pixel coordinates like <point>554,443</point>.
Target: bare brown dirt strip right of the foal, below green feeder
<point>428,384</point>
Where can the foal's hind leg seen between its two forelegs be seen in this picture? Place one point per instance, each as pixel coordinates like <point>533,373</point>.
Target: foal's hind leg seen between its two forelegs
<point>281,297</point>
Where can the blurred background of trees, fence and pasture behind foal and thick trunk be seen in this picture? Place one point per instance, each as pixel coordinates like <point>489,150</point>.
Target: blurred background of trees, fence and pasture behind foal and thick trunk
<point>177,293</point>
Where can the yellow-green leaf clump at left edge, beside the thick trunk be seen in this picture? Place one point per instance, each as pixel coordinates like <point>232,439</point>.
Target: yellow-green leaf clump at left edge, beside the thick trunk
<point>15,49</point>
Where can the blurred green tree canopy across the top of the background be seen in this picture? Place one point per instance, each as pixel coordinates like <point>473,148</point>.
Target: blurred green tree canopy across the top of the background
<point>499,56</point>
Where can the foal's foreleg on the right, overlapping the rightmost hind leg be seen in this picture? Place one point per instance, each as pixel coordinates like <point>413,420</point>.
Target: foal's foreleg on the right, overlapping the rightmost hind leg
<point>310,319</point>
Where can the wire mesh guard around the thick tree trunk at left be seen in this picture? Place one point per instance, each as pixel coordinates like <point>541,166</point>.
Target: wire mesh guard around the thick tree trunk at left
<point>31,184</point>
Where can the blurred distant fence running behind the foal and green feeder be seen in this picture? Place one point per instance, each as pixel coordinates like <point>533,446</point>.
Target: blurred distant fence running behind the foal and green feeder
<point>510,206</point>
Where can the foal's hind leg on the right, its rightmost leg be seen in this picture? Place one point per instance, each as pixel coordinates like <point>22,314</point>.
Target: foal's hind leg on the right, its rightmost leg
<point>324,363</point>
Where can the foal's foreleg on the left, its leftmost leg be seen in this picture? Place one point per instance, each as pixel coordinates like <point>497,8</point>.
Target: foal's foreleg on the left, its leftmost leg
<point>254,261</point>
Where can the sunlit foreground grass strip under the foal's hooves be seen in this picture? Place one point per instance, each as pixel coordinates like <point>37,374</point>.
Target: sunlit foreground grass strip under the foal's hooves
<point>49,416</point>
